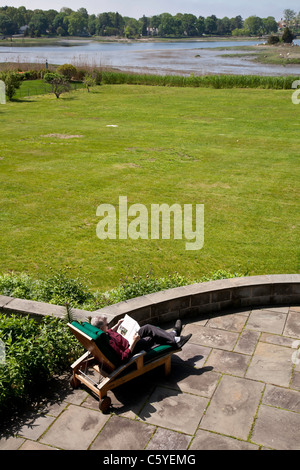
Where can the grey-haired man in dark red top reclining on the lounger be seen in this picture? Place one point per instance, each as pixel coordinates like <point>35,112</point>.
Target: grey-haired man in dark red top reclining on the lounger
<point>146,338</point>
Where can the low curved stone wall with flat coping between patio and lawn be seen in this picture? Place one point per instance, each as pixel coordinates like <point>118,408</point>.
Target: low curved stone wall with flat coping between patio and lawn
<point>196,299</point>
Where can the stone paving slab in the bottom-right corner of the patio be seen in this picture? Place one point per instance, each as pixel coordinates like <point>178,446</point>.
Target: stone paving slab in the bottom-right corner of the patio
<point>277,429</point>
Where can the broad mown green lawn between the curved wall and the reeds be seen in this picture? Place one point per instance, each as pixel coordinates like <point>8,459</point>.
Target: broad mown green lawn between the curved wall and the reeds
<point>235,151</point>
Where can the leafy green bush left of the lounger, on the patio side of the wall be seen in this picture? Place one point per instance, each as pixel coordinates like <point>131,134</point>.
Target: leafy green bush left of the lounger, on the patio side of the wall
<point>34,351</point>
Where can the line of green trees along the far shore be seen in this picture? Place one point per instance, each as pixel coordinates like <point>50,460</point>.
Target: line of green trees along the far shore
<point>66,22</point>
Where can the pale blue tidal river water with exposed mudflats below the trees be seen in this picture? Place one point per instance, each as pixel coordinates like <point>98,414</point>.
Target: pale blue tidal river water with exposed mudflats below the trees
<point>200,57</point>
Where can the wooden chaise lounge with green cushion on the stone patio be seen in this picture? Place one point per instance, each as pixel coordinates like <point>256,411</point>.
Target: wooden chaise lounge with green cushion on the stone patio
<point>104,360</point>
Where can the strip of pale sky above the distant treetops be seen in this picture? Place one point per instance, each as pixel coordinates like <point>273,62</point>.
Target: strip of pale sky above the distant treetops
<point>138,8</point>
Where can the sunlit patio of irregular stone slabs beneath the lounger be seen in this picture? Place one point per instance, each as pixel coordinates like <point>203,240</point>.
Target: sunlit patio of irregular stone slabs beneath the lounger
<point>235,385</point>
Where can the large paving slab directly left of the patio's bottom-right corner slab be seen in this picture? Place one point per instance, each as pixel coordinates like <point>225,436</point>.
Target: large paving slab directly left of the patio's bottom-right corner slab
<point>233,407</point>
